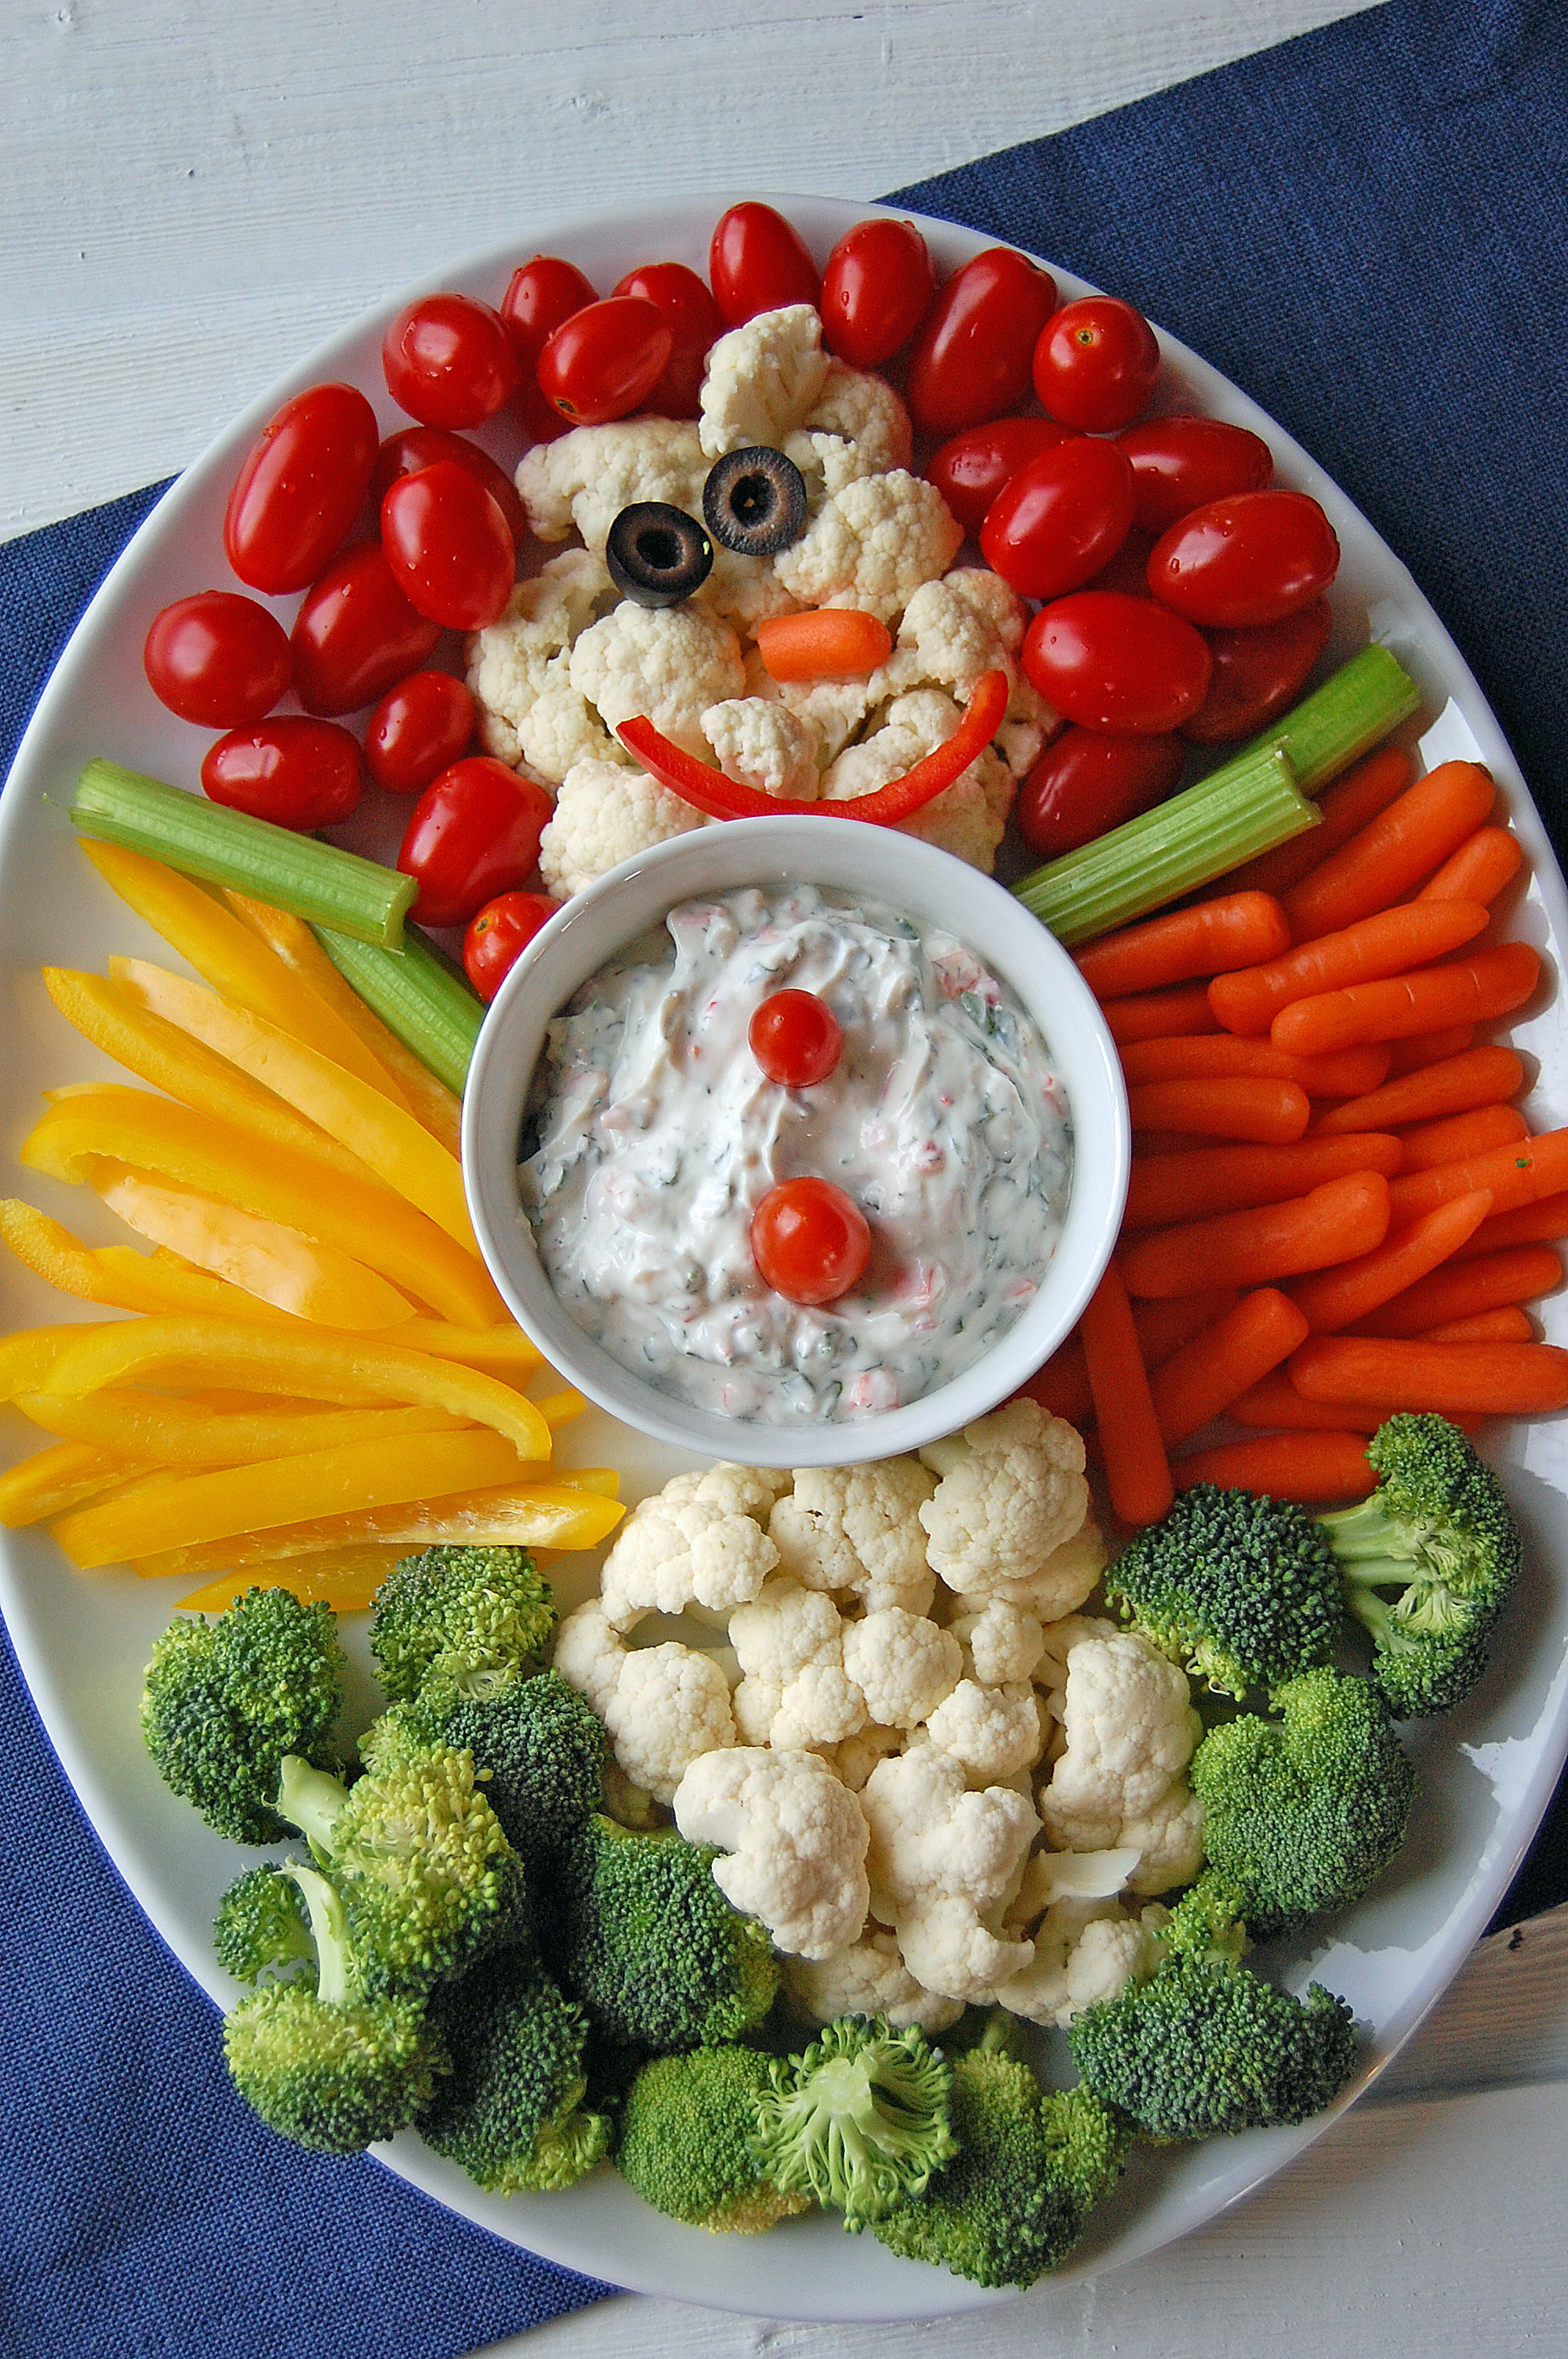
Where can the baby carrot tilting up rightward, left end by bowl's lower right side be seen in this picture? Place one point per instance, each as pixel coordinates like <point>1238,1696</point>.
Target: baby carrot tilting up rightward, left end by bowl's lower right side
<point>1333,1223</point>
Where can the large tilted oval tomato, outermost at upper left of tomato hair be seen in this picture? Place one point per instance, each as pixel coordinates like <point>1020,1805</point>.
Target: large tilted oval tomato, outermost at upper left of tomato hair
<point>298,494</point>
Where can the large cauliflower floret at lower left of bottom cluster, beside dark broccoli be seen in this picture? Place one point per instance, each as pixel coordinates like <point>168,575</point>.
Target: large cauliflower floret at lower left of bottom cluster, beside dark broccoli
<point>796,1839</point>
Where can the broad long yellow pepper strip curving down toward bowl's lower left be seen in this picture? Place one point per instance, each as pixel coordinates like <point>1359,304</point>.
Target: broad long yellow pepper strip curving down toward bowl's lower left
<point>211,1157</point>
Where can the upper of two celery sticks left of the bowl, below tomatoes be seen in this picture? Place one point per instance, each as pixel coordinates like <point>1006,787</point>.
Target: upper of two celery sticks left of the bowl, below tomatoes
<point>218,846</point>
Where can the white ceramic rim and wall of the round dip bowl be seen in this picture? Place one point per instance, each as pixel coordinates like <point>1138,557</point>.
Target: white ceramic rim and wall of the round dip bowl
<point>892,869</point>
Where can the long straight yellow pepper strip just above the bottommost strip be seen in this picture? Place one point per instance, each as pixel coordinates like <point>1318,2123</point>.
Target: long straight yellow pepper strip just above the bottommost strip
<point>178,1511</point>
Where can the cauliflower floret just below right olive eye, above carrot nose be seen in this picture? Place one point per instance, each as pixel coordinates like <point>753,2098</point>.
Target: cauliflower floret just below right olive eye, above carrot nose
<point>874,544</point>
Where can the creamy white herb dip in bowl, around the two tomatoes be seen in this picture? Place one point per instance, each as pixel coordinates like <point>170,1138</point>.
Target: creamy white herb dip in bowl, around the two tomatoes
<point>652,1136</point>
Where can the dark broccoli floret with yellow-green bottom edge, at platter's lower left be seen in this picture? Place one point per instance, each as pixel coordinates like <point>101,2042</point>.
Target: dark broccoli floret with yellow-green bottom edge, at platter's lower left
<point>510,2110</point>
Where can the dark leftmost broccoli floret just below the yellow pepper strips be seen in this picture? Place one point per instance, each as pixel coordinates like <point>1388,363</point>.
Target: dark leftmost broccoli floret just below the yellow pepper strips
<point>225,1700</point>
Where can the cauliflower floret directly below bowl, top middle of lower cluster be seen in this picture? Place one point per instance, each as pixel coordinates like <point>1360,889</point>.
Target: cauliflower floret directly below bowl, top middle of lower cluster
<point>855,1532</point>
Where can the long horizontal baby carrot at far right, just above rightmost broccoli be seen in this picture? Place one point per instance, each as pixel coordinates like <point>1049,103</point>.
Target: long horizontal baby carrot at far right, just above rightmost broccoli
<point>1489,1379</point>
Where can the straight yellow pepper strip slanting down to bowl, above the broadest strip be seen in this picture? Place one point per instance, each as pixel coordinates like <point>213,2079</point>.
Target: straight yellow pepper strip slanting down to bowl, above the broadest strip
<point>383,1136</point>
